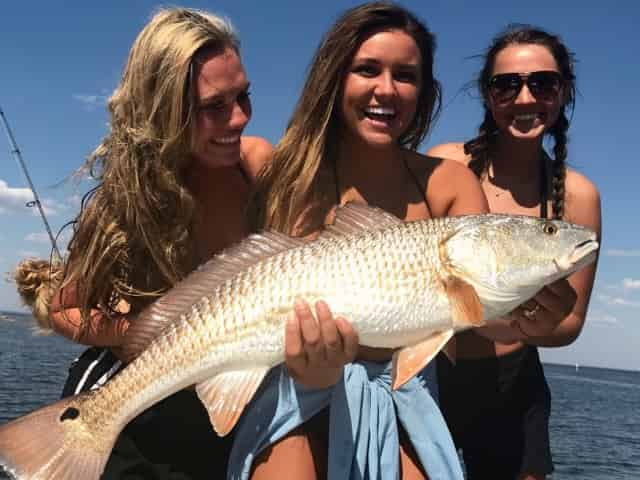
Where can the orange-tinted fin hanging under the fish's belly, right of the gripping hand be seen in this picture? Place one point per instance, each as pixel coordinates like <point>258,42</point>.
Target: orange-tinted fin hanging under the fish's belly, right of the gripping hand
<point>408,361</point>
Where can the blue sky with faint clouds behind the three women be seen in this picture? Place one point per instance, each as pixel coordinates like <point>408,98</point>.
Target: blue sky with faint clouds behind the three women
<point>59,63</point>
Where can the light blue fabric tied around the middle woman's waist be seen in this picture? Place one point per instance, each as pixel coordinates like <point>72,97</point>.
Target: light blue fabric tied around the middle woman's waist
<point>363,433</point>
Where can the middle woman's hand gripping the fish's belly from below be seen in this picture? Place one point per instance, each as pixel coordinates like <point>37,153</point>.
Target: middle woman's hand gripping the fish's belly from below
<point>316,350</point>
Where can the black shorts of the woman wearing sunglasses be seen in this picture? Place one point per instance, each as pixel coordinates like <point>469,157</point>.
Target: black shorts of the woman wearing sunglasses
<point>497,410</point>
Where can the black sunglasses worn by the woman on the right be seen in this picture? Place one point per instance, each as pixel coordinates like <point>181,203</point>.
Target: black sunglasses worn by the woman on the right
<point>543,85</point>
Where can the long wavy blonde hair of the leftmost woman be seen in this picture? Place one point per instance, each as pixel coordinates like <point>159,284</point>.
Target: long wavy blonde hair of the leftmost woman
<point>133,237</point>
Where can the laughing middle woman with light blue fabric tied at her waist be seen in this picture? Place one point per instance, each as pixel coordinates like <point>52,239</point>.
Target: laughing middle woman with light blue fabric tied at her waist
<point>368,101</point>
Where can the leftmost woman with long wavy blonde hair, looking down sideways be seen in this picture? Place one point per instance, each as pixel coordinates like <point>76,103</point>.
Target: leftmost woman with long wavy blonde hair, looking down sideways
<point>173,178</point>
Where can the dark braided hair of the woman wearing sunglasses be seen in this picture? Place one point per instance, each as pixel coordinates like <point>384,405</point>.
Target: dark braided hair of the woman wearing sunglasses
<point>482,145</point>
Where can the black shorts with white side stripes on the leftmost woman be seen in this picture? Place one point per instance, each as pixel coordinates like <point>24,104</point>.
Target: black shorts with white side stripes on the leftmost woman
<point>173,440</point>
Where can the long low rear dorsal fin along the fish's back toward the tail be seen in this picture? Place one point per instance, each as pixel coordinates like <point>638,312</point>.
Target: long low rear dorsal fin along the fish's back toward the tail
<point>201,282</point>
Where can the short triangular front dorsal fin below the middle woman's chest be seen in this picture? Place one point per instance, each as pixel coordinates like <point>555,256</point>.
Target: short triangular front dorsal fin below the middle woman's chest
<point>353,218</point>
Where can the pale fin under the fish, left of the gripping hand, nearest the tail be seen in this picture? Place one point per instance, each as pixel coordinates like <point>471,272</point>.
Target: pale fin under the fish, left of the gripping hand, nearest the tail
<point>226,395</point>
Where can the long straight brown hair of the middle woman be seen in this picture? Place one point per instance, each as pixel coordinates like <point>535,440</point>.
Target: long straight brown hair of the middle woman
<point>298,177</point>
